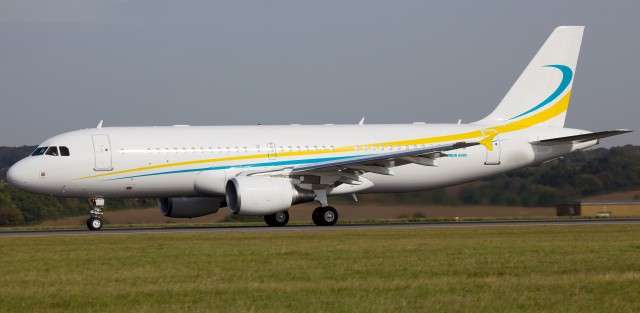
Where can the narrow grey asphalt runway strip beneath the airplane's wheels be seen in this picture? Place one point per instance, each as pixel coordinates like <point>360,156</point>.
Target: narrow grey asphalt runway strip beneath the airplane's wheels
<point>312,228</point>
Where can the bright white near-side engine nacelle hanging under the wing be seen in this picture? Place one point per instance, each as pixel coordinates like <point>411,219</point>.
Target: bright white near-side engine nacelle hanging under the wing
<point>261,195</point>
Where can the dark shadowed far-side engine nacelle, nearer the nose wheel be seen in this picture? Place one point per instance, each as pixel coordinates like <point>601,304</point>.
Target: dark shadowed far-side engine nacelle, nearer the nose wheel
<point>190,207</point>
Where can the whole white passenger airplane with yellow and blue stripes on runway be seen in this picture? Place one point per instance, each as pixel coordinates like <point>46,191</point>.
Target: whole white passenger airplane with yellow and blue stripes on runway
<point>264,170</point>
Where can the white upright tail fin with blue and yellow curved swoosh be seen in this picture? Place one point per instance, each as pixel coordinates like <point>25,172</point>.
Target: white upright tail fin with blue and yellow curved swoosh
<point>545,83</point>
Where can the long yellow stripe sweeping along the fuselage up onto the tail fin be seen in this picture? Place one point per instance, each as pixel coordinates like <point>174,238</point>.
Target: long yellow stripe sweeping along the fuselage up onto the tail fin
<point>488,134</point>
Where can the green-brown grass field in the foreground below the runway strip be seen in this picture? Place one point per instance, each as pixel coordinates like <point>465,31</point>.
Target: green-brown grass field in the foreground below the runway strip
<point>496,269</point>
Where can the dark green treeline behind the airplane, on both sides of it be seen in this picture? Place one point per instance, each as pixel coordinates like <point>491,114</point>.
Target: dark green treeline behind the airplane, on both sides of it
<point>577,175</point>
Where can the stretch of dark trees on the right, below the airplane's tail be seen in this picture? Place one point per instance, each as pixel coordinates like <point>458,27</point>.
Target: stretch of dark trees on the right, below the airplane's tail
<point>577,175</point>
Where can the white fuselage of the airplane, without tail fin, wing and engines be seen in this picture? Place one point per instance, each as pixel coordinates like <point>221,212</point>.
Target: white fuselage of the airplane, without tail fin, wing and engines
<point>187,161</point>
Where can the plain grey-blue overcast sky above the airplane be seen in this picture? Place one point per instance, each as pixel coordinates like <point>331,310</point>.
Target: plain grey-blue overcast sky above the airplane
<point>67,64</point>
